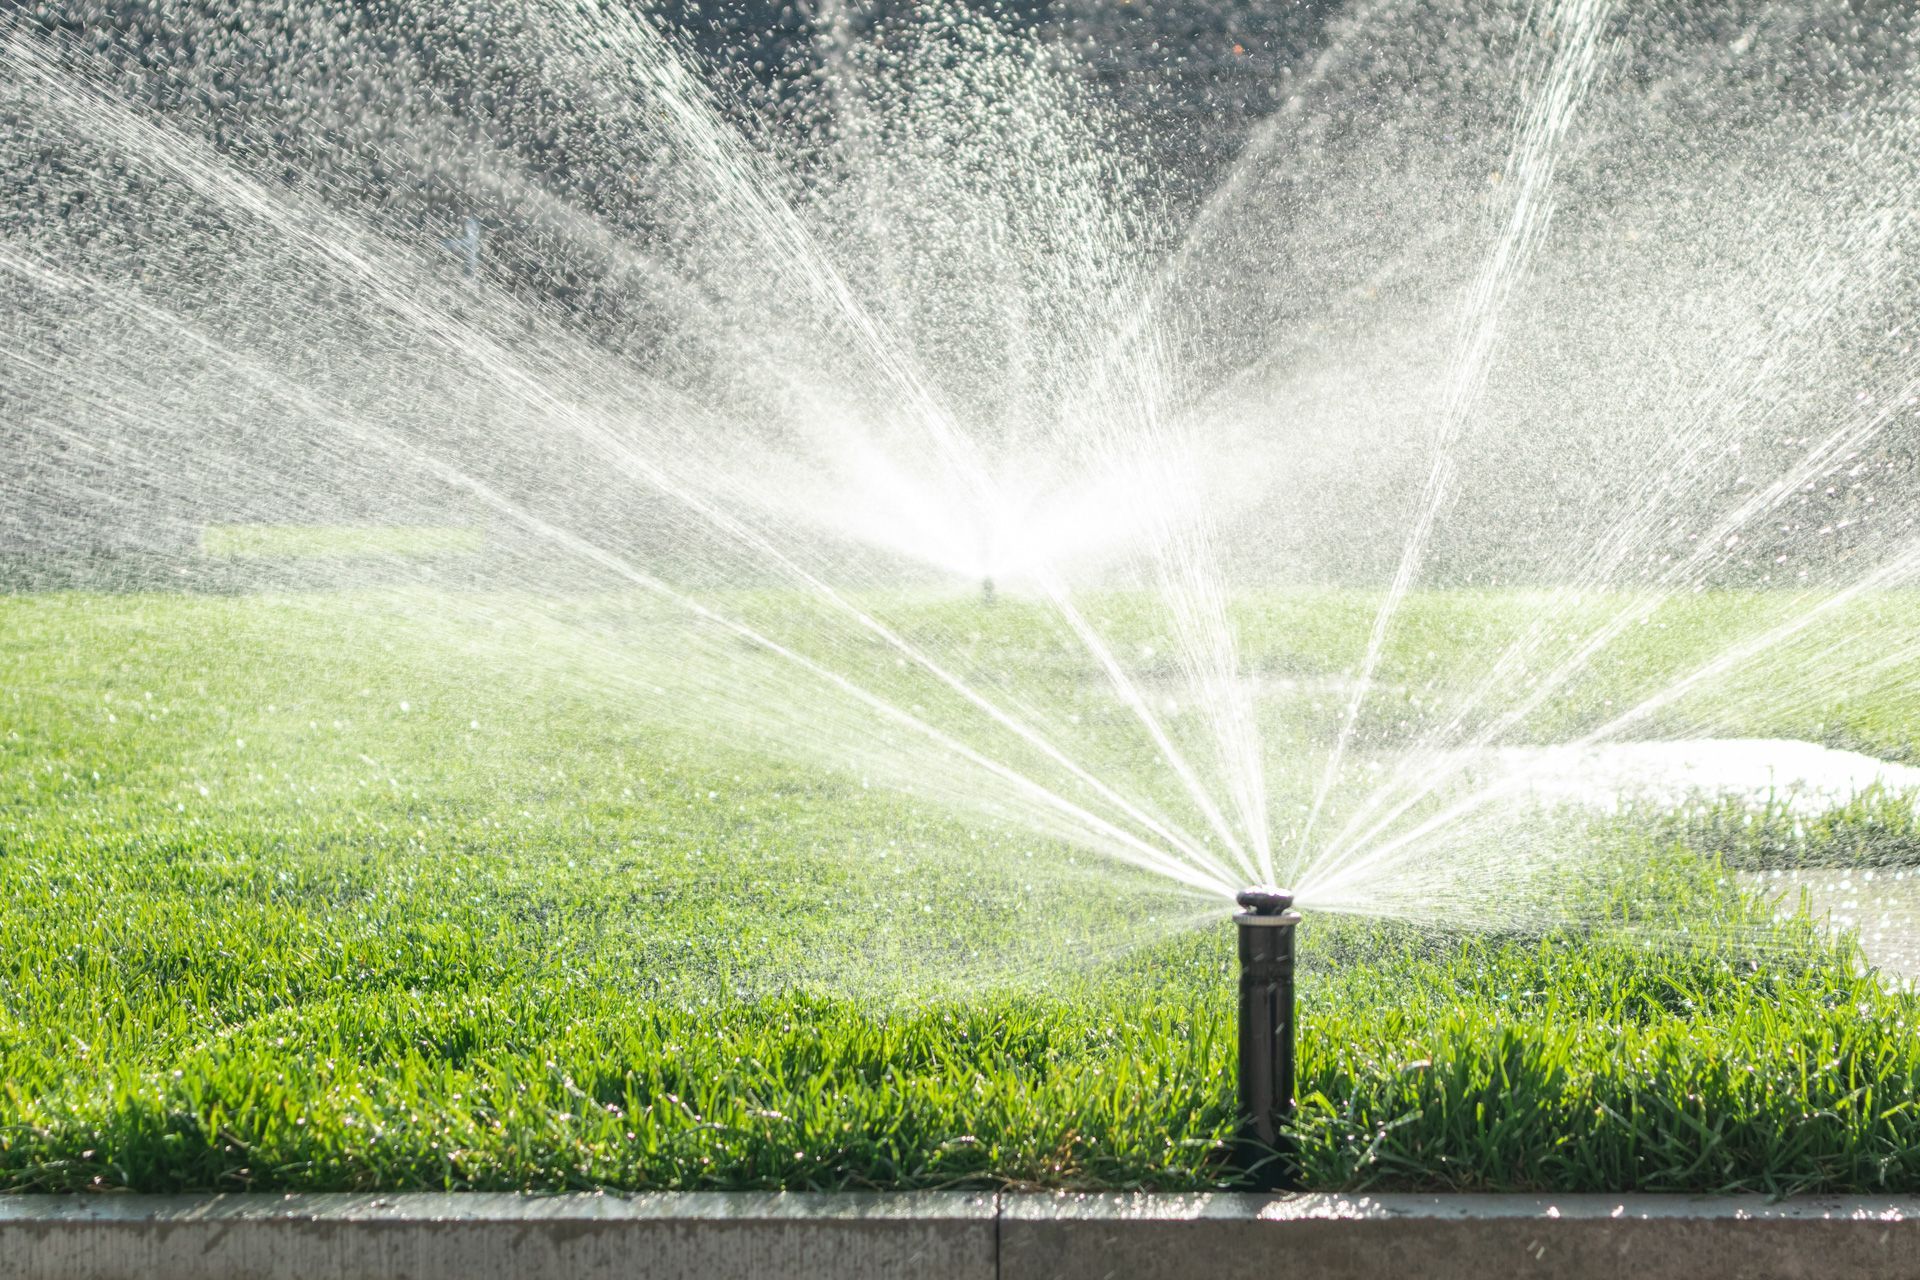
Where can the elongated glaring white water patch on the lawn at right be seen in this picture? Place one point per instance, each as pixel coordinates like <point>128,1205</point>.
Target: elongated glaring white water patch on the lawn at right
<point>1806,778</point>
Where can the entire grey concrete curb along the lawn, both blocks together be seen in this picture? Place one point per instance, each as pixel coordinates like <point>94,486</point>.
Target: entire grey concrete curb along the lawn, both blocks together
<point>953,1235</point>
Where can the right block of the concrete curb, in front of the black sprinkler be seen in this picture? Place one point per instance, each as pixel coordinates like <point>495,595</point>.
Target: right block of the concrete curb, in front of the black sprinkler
<point>1460,1237</point>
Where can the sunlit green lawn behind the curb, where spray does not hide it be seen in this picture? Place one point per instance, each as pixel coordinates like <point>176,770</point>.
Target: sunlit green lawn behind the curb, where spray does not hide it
<point>299,895</point>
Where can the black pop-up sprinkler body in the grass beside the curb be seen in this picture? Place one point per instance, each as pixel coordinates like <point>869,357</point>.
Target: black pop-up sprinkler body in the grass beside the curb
<point>1266,926</point>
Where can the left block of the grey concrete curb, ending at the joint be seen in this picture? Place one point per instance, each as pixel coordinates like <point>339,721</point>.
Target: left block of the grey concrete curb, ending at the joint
<point>485,1237</point>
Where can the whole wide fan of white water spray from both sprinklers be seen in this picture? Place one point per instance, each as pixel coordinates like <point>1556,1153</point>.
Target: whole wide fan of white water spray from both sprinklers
<point>802,389</point>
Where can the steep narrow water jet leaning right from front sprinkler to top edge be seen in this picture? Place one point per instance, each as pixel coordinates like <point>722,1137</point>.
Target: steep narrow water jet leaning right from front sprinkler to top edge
<point>1543,131</point>
